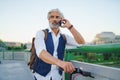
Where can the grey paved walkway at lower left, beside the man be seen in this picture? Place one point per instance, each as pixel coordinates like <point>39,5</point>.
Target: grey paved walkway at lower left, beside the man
<point>15,70</point>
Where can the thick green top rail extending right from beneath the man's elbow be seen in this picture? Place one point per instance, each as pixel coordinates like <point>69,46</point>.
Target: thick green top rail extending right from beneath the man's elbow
<point>99,48</point>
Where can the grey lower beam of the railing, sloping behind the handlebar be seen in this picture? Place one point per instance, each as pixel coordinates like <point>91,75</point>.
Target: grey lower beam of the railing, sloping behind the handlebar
<point>99,72</point>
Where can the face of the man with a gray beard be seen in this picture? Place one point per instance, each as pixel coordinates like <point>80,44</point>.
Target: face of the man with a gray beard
<point>54,20</point>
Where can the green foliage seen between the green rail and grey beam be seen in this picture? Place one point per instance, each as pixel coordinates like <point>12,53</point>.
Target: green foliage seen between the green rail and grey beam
<point>108,59</point>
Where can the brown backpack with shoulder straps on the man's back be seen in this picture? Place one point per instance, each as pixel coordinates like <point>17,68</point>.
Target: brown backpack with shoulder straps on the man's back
<point>33,56</point>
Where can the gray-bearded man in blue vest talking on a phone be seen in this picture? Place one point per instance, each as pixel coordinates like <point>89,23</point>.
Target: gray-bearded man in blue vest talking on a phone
<point>51,51</point>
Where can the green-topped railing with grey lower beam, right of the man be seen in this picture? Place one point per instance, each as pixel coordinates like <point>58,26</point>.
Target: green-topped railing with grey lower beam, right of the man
<point>99,72</point>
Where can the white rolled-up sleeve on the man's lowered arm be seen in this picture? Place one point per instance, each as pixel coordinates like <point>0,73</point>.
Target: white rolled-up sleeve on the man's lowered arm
<point>39,42</point>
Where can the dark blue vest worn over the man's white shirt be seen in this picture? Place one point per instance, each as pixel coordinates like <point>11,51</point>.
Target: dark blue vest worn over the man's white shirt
<point>44,68</point>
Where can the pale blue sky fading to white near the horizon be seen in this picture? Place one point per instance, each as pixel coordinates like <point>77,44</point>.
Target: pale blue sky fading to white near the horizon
<point>21,19</point>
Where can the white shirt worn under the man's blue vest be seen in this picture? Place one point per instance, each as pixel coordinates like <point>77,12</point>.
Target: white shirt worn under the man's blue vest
<point>40,45</point>
